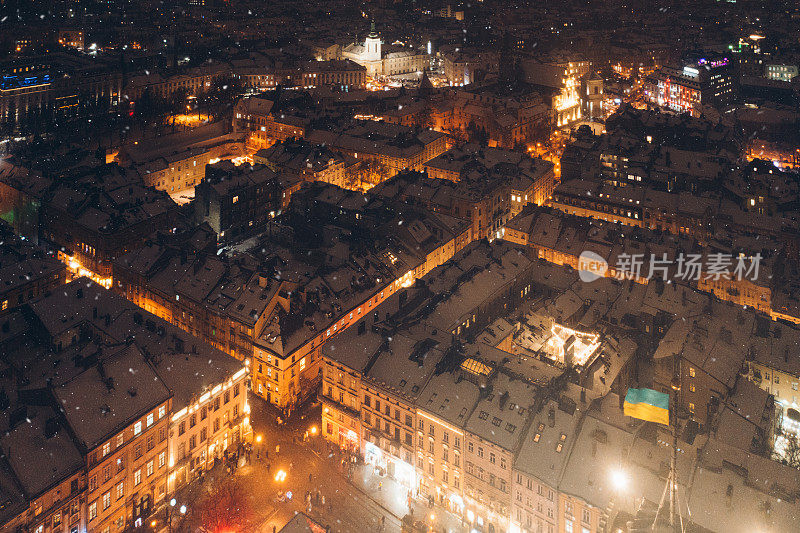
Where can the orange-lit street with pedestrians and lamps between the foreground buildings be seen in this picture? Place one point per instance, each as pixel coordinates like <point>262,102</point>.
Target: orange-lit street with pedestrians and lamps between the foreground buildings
<point>355,500</point>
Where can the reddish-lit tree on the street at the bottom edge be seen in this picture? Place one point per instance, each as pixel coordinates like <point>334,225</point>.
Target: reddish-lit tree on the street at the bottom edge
<point>226,507</point>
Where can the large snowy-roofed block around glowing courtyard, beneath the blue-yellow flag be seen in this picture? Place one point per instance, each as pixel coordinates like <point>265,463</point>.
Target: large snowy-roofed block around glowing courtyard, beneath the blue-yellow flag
<point>509,440</point>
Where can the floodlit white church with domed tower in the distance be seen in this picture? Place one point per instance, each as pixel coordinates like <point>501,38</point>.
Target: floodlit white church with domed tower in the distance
<point>385,61</point>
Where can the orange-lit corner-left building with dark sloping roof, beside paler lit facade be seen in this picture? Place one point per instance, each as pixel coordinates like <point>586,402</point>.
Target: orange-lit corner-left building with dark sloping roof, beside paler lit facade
<point>122,421</point>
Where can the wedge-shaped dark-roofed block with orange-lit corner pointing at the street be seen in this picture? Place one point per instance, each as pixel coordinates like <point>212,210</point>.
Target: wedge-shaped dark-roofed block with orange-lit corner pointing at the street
<point>282,334</point>
